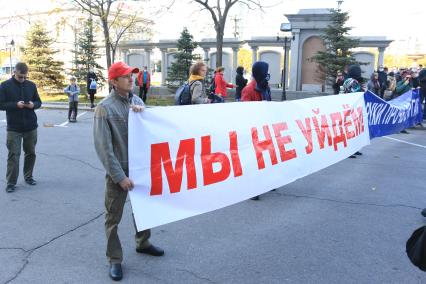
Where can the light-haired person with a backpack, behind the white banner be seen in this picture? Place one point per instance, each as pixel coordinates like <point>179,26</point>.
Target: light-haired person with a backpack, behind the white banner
<point>196,80</point>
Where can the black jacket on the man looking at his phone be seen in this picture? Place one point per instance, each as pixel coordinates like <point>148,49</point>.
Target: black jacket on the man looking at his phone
<point>11,92</point>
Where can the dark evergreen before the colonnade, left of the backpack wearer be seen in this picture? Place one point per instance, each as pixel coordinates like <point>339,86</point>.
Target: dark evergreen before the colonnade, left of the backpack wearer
<point>179,70</point>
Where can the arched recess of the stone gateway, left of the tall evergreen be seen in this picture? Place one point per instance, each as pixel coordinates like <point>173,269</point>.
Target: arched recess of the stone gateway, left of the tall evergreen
<point>312,80</point>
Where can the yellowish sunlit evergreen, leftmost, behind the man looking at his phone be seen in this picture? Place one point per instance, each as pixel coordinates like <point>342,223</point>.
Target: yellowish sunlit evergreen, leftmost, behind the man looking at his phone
<point>45,71</point>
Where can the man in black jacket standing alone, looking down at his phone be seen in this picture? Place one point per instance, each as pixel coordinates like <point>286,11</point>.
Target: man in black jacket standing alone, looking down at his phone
<point>19,98</point>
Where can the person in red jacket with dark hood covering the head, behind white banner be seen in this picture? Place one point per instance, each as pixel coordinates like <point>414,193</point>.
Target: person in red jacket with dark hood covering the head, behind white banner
<point>258,89</point>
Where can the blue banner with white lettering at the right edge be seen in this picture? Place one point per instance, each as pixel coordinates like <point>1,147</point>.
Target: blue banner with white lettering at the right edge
<point>389,117</point>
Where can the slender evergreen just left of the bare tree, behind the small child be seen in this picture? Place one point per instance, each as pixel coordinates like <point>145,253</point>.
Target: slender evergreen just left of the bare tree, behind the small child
<point>85,55</point>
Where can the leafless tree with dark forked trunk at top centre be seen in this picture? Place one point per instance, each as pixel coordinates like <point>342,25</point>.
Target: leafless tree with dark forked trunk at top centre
<point>219,11</point>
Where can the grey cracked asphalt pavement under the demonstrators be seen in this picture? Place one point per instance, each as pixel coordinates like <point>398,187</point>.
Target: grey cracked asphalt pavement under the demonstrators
<point>345,224</point>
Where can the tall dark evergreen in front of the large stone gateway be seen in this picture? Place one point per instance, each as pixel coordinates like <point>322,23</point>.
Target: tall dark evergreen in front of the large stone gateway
<point>337,43</point>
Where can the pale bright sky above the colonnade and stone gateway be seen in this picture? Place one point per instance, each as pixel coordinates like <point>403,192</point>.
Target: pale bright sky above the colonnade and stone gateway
<point>395,20</point>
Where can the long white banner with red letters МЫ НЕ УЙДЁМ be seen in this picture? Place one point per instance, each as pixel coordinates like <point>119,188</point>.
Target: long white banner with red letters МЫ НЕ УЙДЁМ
<point>188,160</point>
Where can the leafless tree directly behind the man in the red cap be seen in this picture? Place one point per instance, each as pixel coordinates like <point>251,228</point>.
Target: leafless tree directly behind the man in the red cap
<point>115,21</point>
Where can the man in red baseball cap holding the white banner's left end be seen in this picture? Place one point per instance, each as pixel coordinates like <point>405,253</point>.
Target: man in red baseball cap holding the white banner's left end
<point>110,136</point>
